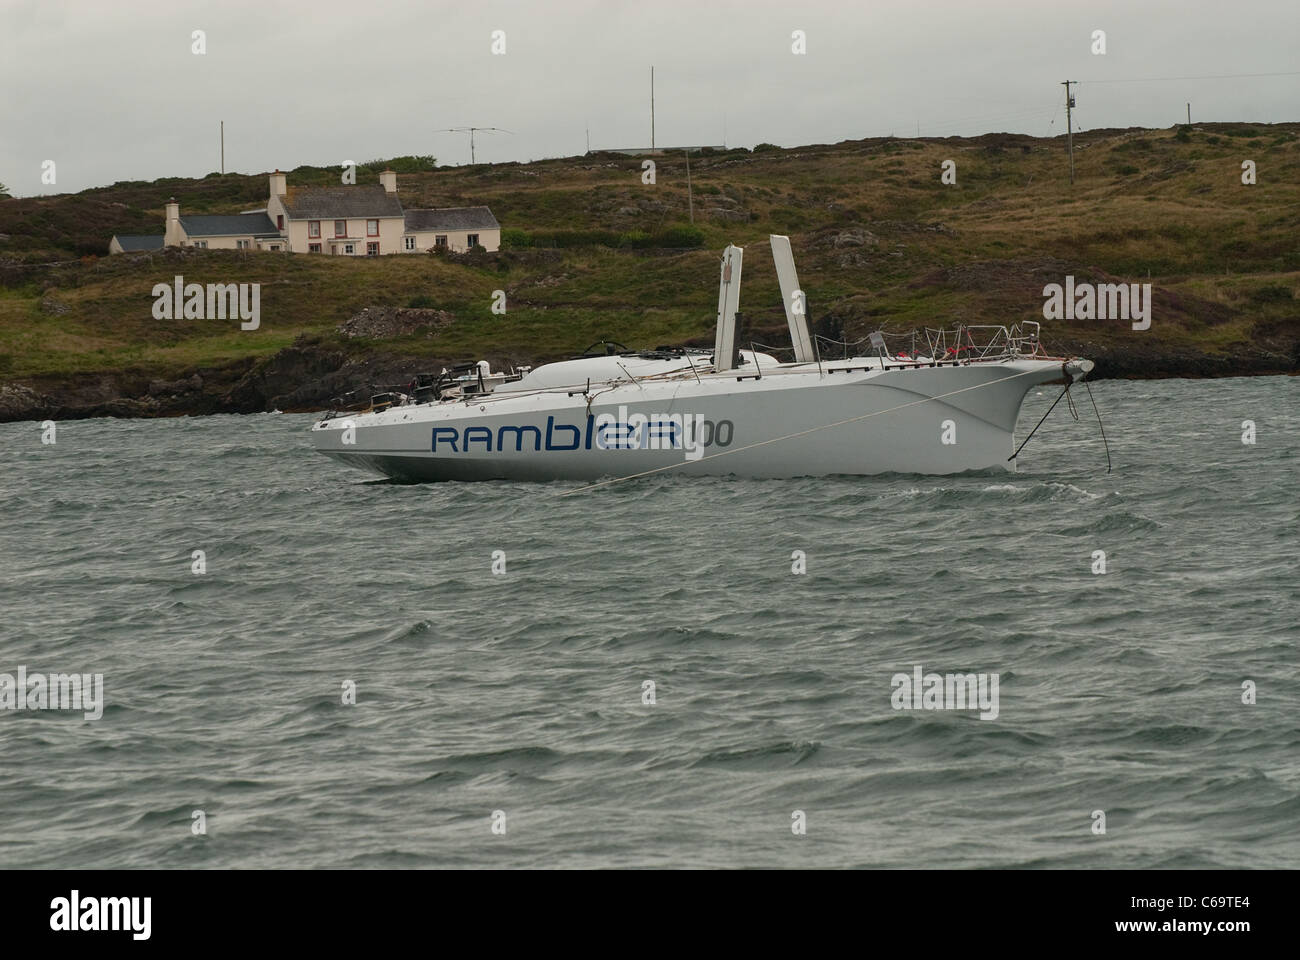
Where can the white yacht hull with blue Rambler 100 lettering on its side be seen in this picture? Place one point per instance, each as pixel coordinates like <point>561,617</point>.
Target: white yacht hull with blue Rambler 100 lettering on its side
<point>850,417</point>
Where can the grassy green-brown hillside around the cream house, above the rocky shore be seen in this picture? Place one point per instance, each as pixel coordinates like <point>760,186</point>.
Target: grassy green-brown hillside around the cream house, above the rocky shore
<point>878,239</point>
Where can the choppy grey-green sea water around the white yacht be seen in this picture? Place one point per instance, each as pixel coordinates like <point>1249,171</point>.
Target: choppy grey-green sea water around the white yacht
<point>523,693</point>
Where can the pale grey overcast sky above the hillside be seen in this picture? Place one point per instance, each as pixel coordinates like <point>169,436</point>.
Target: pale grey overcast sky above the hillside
<point>114,90</point>
